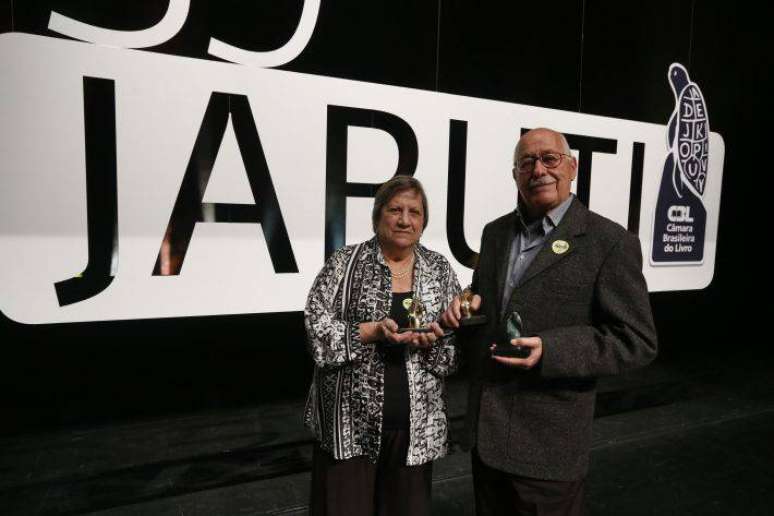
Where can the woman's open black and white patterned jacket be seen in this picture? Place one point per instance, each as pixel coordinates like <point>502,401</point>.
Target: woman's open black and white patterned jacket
<point>346,399</point>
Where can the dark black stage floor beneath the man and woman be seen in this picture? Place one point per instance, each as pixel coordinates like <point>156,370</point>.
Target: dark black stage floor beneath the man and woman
<point>685,436</point>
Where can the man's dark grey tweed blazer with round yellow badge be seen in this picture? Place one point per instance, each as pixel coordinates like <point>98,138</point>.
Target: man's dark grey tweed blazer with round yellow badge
<point>590,306</point>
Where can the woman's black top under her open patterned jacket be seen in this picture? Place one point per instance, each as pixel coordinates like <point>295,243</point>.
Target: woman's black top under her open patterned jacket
<point>396,397</point>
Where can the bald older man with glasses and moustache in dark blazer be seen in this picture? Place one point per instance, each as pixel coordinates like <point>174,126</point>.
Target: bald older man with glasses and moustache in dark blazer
<point>576,279</point>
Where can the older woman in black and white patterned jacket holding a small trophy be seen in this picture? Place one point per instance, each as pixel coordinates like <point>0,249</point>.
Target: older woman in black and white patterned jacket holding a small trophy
<point>377,402</point>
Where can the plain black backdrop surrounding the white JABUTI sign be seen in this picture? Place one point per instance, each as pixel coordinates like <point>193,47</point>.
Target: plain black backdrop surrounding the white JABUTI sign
<point>603,58</point>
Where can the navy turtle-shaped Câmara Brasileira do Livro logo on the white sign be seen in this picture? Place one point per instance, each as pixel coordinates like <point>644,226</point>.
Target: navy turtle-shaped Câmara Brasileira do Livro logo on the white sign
<point>680,218</point>
